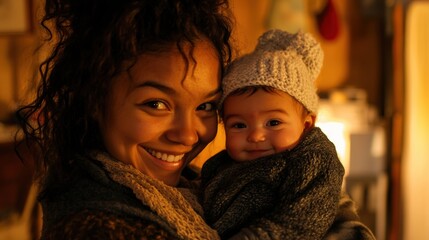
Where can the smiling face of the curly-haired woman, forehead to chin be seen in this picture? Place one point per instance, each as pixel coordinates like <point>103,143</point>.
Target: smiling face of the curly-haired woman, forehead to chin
<point>165,115</point>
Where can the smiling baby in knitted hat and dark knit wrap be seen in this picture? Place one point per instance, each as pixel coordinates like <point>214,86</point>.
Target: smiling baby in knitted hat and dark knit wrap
<point>280,176</point>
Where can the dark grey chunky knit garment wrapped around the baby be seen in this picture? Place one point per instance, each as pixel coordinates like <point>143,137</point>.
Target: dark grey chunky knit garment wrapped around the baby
<point>290,195</point>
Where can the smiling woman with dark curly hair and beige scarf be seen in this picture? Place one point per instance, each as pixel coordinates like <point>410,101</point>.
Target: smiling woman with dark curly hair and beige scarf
<point>127,99</point>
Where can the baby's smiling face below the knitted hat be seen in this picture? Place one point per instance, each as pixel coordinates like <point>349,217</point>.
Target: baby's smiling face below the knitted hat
<point>263,123</point>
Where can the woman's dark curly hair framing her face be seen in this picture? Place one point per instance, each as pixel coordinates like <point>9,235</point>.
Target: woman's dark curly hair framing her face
<point>92,41</point>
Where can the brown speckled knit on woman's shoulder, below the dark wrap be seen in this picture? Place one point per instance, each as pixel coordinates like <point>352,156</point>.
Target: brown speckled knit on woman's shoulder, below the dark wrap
<point>95,224</point>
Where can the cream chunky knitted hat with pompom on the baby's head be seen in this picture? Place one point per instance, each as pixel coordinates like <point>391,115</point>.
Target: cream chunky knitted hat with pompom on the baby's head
<point>285,61</point>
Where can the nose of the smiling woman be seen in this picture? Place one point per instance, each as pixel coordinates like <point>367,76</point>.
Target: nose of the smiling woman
<point>184,131</point>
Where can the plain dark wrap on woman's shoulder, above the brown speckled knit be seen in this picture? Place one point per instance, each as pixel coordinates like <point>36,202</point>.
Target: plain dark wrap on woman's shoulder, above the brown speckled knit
<point>92,191</point>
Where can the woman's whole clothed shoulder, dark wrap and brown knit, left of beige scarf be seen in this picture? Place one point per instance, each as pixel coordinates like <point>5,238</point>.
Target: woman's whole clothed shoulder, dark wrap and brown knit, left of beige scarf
<point>96,207</point>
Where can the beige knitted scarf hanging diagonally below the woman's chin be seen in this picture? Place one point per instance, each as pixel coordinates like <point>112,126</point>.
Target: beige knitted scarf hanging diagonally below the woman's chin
<point>172,204</point>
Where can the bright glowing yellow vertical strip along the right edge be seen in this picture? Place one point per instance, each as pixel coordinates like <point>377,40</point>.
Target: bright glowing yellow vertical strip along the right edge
<point>415,164</point>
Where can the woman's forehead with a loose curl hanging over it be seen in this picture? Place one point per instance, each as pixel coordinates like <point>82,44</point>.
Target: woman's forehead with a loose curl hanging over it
<point>196,70</point>
